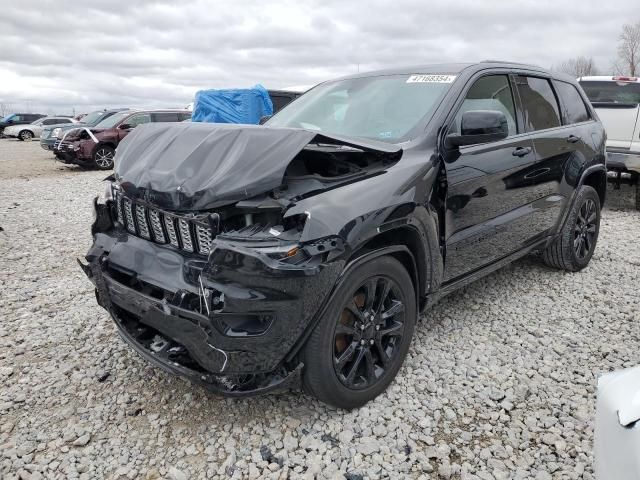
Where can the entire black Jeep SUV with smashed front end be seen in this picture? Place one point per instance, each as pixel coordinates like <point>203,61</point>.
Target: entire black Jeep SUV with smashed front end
<point>252,258</point>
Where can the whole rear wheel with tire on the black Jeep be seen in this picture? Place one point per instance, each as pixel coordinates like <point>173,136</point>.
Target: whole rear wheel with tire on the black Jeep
<point>573,248</point>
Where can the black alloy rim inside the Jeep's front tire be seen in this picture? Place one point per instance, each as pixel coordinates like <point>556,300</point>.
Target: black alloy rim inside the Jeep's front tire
<point>368,333</point>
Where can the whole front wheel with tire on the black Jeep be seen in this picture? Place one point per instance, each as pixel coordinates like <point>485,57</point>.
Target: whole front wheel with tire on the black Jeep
<point>360,342</point>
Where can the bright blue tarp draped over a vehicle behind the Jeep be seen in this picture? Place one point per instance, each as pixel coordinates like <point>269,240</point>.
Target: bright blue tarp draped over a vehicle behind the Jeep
<point>234,105</point>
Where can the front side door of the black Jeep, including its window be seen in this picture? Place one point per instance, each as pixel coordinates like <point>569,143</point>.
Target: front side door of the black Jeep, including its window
<point>493,204</point>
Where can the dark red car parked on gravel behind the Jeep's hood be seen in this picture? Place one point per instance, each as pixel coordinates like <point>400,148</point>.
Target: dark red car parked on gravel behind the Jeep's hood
<point>95,147</point>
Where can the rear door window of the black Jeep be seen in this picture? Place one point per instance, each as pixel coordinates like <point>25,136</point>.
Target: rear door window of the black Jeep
<point>539,103</point>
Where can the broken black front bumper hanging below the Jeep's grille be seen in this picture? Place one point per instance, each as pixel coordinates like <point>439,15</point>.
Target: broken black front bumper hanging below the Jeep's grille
<point>230,321</point>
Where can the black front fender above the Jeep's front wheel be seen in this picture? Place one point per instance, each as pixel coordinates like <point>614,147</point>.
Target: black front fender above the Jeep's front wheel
<point>394,200</point>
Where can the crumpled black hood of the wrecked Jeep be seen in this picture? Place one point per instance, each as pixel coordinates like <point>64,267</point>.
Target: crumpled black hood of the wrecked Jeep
<point>198,166</point>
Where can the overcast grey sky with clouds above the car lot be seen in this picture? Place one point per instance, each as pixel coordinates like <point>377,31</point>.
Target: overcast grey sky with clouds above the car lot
<point>56,55</point>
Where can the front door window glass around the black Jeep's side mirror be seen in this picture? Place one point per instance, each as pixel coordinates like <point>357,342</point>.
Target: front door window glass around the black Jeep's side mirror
<point>489,93</point>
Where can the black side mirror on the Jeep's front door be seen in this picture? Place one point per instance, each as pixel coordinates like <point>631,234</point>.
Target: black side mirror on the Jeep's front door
<point>480,126</point>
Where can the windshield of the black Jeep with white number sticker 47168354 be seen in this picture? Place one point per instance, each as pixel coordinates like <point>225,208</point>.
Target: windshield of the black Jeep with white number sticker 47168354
<point>386,108</point>
